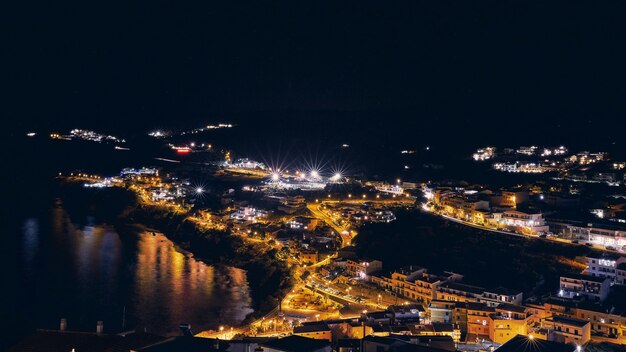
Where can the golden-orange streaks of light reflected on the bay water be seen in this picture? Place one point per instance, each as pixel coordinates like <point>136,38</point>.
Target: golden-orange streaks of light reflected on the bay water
<point>185,289</point>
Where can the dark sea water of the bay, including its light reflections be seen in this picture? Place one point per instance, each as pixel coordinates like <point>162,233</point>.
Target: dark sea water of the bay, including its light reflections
<point>62,259</point>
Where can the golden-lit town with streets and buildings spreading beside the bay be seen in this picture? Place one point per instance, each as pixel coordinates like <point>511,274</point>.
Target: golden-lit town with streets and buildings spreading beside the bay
<point>338,298</point>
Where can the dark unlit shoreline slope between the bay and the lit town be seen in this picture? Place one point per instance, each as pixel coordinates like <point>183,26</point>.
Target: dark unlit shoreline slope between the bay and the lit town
<point>269,279</point>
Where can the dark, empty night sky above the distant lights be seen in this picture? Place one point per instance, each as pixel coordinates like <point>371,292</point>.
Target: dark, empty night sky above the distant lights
<point>495,62</point>
